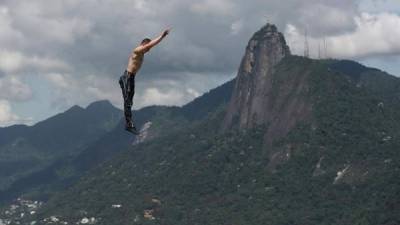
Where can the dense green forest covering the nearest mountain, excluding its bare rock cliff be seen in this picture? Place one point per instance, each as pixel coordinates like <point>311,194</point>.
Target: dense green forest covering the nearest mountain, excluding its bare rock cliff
<point>341,167</point>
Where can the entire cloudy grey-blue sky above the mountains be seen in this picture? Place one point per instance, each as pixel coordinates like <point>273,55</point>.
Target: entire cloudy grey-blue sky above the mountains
<point>55,54</point>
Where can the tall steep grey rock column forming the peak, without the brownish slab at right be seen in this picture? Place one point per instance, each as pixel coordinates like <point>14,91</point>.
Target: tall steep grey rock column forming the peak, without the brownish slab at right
<point>265,49</point>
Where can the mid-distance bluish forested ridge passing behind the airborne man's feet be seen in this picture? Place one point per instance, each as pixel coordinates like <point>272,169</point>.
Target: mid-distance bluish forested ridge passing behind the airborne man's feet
<point>43,183</point>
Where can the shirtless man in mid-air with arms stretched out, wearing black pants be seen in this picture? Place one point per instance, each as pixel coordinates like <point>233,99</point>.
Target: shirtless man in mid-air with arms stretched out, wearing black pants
<point>127,81</point>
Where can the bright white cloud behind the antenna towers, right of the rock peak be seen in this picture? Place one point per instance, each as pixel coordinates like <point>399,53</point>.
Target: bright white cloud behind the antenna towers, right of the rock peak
<point>375,34</point>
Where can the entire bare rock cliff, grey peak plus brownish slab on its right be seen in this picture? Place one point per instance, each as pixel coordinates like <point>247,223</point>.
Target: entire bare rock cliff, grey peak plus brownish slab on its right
<point>258,97</point>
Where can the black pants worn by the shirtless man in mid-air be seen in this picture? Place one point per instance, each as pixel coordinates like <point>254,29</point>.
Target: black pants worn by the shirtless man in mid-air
<point>127,84</point>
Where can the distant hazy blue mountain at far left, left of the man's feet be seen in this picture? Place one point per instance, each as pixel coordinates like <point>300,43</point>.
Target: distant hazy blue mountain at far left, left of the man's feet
<point>25,149</point>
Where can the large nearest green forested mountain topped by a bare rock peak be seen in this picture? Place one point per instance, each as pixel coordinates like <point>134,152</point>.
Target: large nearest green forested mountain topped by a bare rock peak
<point>301,141</point>
